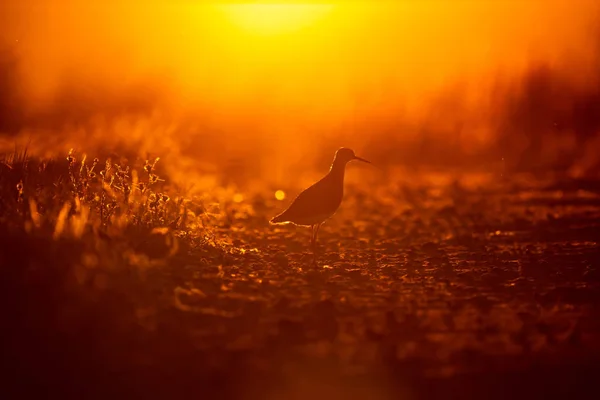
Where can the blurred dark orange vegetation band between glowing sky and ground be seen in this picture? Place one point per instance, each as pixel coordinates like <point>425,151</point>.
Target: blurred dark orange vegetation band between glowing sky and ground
<point>545,119</point>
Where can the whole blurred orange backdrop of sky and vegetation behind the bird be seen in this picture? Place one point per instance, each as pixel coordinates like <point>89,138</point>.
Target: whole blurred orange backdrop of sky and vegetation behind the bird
<point>265,90</point>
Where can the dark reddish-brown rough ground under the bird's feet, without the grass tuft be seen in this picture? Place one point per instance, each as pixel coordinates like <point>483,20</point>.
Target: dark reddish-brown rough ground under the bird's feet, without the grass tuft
<point>425,293</point>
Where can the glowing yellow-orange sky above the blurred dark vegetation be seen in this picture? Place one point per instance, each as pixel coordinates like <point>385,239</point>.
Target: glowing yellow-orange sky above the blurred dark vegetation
<point>354,59</point>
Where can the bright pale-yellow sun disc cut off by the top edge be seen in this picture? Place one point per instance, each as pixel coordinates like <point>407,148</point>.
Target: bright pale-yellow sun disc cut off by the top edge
<point>269,19</point>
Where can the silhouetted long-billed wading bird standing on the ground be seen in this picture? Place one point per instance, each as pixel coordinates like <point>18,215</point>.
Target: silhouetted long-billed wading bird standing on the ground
<point>319,202</point>
